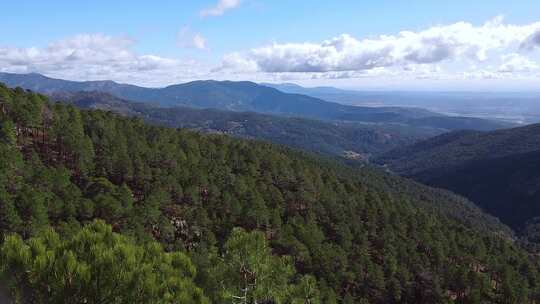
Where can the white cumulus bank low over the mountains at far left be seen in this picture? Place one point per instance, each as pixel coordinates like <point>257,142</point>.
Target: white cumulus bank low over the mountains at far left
<point>97,56</point>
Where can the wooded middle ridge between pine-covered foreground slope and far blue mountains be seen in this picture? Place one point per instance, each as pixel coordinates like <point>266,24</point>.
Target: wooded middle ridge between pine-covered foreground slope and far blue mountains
<point>349,140</point>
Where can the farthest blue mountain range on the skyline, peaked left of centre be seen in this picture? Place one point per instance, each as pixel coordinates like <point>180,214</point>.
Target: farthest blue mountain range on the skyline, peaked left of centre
<point>249,96</point>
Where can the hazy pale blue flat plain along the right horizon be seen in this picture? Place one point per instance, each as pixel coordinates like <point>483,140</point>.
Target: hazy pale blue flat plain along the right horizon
<point>517,107</point>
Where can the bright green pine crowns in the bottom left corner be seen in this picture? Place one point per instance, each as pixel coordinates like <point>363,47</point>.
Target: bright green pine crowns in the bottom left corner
<point>96,265</point>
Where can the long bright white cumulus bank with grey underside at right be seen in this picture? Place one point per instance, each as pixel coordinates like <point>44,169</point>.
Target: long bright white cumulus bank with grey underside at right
<point>434,45</point>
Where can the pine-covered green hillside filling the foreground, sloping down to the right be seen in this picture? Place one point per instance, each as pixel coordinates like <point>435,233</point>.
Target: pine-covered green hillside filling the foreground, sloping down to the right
<point>97,208</point>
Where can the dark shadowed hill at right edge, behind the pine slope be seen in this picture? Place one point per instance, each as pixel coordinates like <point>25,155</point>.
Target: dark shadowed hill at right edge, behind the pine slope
<point>498,170</point>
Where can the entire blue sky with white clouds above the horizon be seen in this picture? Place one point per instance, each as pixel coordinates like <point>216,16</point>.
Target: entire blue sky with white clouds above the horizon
<point>482,45</point>
